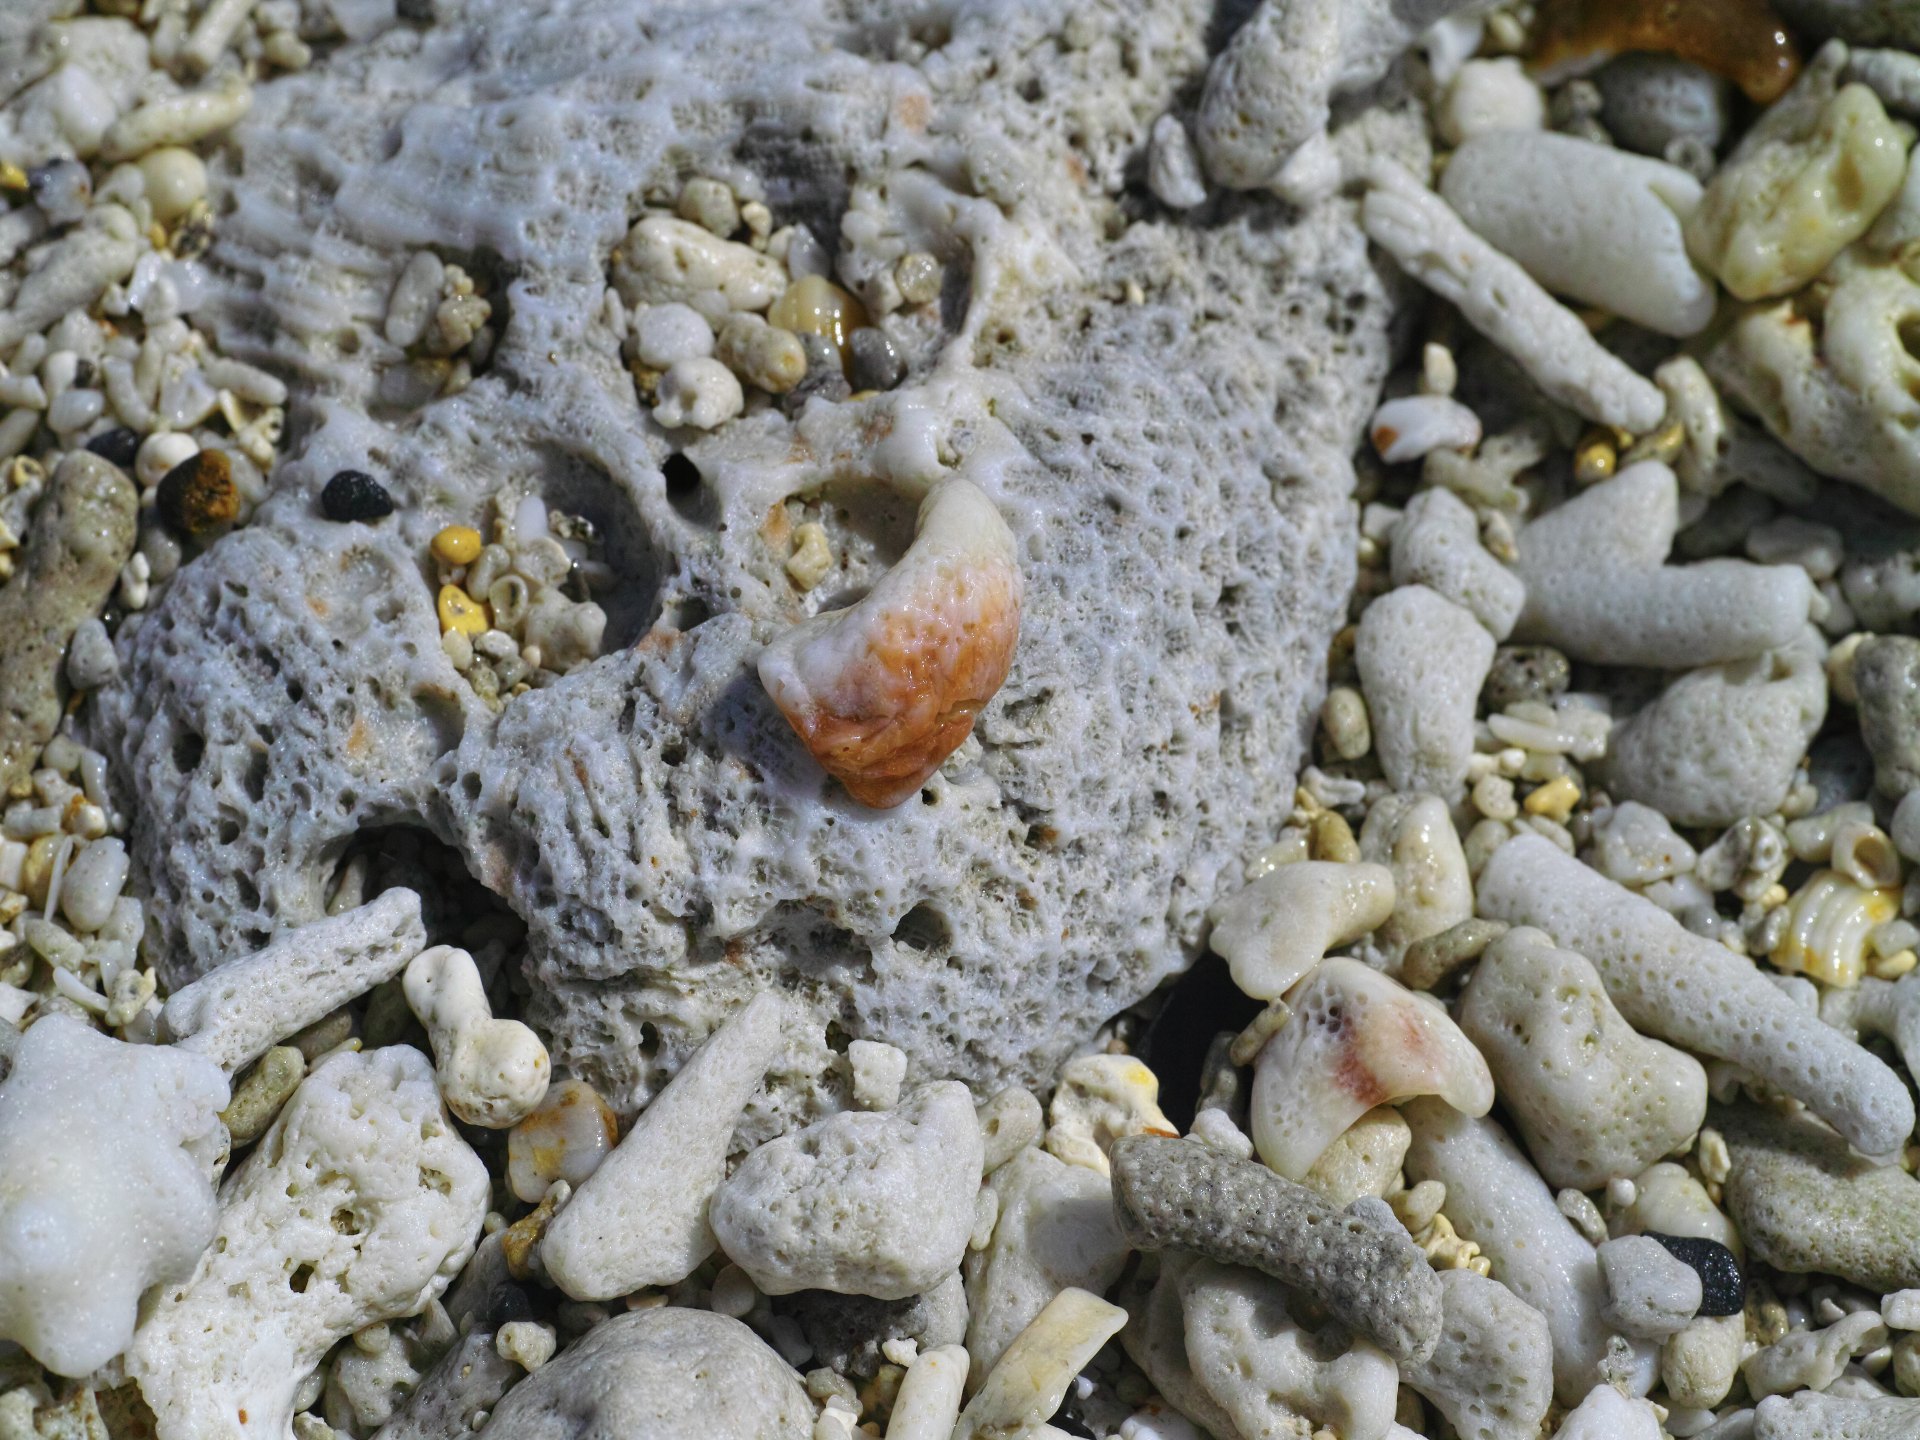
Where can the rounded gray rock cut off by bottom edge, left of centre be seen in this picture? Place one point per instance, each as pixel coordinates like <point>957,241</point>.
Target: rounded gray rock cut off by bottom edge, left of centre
<point>661,1374</point>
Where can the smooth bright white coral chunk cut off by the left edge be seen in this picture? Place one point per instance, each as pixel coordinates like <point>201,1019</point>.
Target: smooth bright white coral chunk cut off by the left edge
<point>108,1155</point>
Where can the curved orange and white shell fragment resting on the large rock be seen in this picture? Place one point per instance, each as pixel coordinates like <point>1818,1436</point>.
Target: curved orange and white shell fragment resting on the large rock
<point>888,688</point>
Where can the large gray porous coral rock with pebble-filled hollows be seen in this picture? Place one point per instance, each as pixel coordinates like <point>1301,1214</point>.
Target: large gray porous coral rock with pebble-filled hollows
<point>1161,404</point>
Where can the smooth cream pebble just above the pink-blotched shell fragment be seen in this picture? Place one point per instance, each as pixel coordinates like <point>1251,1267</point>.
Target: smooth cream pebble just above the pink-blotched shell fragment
<point>1276,930</point>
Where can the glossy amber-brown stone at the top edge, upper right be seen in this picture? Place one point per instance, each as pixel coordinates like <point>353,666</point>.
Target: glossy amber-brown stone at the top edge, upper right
<point>1739,39</point>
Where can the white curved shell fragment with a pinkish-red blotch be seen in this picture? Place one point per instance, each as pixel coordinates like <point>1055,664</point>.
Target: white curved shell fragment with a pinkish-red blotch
<point>1356,1040</point>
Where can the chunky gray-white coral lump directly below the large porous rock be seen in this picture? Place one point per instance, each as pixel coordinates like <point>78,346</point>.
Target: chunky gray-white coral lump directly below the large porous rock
<point>865,1203</point>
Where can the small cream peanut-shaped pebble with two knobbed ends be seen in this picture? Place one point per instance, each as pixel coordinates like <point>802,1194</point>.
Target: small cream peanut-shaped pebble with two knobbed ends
<point>492,1072</point>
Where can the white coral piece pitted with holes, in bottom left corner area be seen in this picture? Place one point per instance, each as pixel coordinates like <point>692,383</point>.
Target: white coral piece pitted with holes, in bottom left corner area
<point>360,1205</point>
